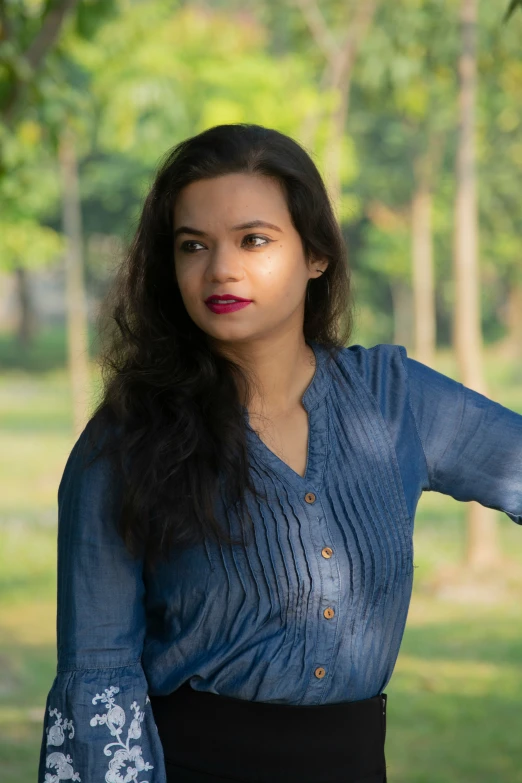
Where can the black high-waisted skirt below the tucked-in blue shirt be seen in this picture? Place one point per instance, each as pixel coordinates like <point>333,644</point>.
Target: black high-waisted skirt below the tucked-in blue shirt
<point>208,738</point>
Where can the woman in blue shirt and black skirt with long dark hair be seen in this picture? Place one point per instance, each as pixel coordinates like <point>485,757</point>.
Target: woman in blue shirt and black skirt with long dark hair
<point>235,521</point>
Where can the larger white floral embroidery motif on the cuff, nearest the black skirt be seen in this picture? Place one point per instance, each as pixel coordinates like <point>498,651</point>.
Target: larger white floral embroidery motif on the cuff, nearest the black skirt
<point>119,770</point>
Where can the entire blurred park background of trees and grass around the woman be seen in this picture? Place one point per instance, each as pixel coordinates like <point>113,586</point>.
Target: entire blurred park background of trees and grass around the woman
<point>412,110</point>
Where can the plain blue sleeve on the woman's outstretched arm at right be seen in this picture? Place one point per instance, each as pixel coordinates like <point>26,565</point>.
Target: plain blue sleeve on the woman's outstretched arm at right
<point>472,444</point>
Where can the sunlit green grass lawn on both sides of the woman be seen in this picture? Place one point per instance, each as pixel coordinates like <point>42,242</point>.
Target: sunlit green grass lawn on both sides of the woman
<point>455,699</point>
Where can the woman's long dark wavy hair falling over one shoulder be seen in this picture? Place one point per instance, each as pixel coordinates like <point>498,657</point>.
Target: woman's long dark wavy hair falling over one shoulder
<point>169,402</point>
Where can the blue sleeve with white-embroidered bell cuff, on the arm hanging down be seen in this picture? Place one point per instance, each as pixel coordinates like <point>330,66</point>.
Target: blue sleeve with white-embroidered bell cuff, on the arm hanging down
<point>98,722</point>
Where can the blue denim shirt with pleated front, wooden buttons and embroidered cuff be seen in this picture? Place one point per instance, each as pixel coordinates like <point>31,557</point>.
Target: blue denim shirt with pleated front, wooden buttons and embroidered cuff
<point>252,622</point>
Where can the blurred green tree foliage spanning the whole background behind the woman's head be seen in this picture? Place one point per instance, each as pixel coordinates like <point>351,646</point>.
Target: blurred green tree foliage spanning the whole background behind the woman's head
<point>134,78</point>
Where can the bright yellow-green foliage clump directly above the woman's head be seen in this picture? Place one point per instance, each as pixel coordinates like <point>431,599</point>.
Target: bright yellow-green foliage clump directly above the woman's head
<point>196,68</point>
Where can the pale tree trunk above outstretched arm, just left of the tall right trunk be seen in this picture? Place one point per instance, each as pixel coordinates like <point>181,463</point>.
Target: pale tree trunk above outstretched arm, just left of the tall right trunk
<point>422,274</point>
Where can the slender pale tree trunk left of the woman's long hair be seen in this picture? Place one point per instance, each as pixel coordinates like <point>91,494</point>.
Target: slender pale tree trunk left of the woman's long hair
<point>77,323</point>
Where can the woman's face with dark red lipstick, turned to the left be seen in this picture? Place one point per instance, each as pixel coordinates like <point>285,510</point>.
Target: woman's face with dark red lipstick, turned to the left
<point>217,253</point>
